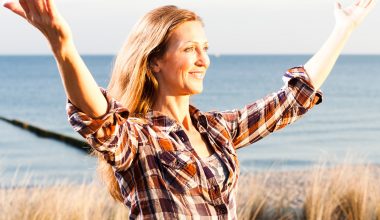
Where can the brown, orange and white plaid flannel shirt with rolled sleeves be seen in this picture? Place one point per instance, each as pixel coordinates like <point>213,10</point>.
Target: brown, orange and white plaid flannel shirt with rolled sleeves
<point>159,173</point>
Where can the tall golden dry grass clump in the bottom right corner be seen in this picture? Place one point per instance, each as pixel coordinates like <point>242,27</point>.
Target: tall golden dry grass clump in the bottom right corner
<point>346,192</point>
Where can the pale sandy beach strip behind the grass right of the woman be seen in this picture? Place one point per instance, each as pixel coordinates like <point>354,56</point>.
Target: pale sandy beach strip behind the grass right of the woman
<point>289,188</point>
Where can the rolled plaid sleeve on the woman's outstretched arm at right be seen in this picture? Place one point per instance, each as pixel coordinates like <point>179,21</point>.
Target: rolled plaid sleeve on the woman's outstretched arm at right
<point>275,111</point>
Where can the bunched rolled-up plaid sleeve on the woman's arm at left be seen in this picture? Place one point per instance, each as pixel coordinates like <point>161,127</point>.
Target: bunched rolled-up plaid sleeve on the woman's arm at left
<point>112,135</point>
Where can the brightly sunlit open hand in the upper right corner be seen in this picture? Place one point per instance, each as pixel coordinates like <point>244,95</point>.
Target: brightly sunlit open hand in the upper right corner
<point>352,16</point>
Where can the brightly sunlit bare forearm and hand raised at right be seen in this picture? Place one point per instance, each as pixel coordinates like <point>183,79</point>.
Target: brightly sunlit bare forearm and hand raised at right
<point>347,19</point>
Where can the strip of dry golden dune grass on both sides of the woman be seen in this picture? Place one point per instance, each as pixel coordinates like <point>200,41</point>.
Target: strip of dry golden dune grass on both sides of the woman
<point>344,192</point>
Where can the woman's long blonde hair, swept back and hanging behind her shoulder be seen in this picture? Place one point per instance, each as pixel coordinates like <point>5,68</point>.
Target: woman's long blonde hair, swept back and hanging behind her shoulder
<point>132,81</point>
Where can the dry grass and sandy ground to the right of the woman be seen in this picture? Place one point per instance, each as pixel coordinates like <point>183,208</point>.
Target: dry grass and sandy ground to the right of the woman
<point>343,192</point>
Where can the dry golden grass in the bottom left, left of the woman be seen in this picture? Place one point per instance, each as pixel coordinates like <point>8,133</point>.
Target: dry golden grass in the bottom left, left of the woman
<point>87,201</point>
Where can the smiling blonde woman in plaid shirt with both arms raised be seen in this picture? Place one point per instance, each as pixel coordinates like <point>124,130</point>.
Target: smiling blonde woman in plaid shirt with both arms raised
<point>162,157</point>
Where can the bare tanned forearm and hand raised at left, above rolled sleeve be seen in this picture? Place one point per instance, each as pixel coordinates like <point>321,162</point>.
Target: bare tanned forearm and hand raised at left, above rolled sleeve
<point>80,86</point>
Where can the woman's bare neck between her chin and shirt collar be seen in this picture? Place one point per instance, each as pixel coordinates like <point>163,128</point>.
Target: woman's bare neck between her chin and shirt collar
<point>176,107</point>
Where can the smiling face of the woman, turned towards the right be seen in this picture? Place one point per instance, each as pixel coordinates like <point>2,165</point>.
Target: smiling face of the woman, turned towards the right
<point>180,71</point>
